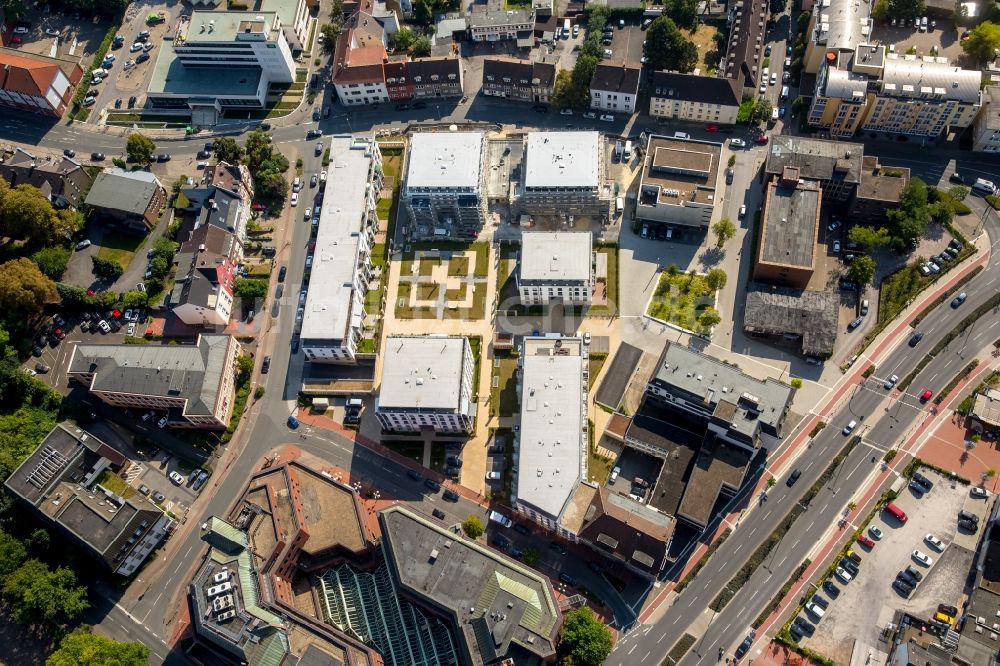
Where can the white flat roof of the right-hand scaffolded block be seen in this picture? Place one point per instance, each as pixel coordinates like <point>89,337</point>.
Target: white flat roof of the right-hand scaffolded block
<point>562,159</point>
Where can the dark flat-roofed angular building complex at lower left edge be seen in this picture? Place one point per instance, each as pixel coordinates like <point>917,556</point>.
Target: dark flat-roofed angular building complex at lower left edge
<point>62,481</point>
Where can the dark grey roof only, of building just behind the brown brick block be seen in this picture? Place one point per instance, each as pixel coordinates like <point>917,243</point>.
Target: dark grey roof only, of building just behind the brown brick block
<point>815,158</point>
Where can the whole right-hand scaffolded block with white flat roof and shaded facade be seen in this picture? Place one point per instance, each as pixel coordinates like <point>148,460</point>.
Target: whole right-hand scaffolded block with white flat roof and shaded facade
<point>563,175</point>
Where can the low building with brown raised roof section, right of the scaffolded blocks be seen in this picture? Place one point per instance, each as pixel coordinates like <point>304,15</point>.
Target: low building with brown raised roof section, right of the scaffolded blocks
<point>678,182</point>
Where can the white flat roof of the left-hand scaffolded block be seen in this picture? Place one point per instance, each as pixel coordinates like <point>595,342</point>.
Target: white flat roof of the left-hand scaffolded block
<point>445,159</point>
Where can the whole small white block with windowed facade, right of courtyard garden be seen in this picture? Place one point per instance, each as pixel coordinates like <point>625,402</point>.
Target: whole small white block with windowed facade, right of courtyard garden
<point>556,265</point>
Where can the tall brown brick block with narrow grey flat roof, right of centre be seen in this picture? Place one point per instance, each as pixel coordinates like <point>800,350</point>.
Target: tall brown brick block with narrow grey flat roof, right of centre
<point>789,231</point>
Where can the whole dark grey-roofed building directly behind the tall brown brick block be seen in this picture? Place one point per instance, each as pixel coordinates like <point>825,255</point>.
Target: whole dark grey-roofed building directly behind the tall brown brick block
<point>836,165</point>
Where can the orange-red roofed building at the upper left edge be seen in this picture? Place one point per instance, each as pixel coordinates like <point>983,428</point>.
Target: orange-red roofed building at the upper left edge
<point>37,83</point>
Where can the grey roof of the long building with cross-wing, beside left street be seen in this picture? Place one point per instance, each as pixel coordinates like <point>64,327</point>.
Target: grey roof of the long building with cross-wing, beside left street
<point>193,372</point>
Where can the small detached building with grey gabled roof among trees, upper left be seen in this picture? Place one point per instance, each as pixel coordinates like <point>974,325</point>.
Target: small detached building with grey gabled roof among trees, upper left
<point>132,199</point>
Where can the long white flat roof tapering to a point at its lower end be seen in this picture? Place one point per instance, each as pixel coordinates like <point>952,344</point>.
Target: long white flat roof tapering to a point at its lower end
<point>553,445</point>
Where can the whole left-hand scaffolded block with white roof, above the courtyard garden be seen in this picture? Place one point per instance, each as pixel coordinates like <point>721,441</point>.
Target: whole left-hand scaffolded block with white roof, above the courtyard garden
<point>445,182</point>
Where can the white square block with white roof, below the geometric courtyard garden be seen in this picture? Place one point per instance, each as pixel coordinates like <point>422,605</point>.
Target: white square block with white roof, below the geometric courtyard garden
<point>427,383</point>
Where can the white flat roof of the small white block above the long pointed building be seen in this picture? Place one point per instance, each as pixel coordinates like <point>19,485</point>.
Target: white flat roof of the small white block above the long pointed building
<point>556,255</point>
